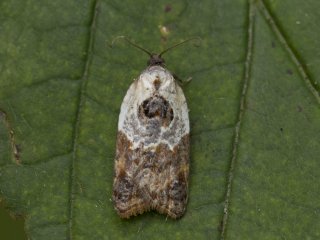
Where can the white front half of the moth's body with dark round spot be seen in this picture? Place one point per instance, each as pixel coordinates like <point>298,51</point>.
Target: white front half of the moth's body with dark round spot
<point>158,85</point>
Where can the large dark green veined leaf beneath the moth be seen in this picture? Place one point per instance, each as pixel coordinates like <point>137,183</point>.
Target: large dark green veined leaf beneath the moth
<point>254,111</point>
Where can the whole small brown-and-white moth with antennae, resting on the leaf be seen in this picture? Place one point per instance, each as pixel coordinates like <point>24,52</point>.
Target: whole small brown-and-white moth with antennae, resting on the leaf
<point>152,153</point>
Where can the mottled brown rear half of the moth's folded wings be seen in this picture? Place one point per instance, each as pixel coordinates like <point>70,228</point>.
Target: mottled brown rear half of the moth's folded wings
<point>151,179</point>
